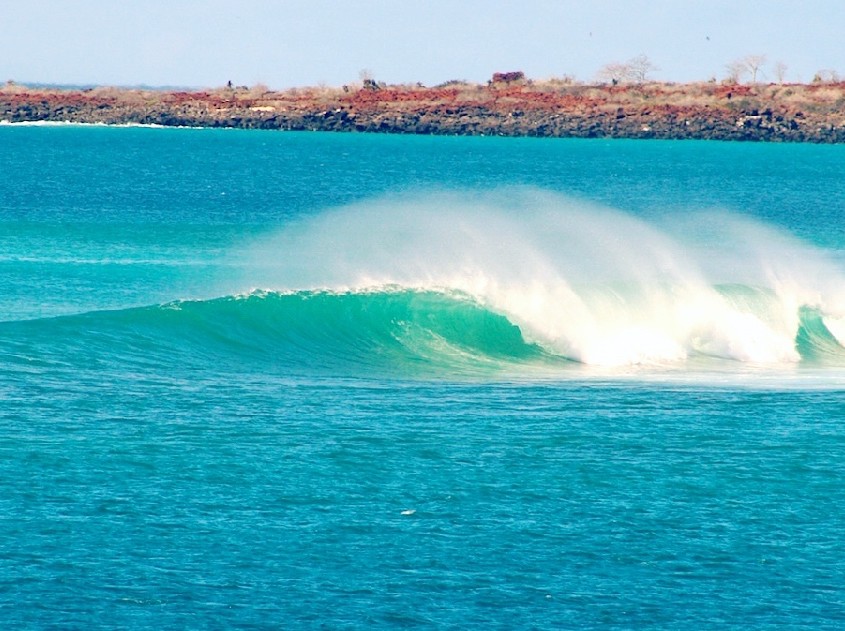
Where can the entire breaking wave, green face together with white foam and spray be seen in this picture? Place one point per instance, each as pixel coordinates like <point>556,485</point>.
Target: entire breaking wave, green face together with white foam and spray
<point>519,282</point>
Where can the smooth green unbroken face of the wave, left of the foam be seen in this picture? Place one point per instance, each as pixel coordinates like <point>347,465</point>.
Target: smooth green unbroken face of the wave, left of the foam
<point>400,332</point>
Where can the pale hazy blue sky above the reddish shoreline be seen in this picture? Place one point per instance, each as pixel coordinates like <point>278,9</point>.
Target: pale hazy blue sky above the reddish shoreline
<point>284,43</point>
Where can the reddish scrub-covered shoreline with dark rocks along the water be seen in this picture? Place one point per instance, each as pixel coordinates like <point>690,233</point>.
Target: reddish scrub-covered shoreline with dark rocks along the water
<point>708,111</point>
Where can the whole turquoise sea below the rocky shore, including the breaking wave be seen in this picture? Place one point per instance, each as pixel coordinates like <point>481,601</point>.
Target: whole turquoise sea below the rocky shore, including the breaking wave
<point>263,380</point>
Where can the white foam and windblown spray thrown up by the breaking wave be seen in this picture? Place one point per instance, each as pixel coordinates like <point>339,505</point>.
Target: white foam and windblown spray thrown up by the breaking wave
<point>590,283</point>
